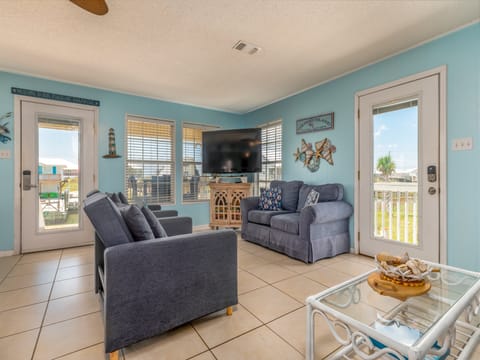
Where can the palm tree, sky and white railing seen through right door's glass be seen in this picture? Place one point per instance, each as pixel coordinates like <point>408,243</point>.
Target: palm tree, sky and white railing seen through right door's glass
<point>395,172</point>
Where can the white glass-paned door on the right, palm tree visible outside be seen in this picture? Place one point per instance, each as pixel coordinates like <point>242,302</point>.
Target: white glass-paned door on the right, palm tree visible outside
<point>398,170</point>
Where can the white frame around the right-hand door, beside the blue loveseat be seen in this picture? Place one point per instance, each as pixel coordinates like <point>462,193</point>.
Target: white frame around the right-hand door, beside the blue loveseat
<point>441,71</point>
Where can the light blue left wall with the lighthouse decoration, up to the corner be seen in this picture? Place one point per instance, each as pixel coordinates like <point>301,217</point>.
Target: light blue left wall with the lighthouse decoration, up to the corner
<point>112,112</point>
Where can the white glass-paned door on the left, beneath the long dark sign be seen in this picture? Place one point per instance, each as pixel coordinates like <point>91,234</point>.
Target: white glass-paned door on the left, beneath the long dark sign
<point>58,168</point>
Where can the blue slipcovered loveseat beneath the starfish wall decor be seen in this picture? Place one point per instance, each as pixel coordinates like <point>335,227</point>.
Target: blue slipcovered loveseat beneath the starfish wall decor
<point>307,233</point>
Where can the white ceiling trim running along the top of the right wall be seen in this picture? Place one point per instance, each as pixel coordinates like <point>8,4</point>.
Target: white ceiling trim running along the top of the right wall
<point>362,67</point>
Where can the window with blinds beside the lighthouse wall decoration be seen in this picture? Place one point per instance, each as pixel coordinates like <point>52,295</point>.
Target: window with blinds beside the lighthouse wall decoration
<point>150,161</point>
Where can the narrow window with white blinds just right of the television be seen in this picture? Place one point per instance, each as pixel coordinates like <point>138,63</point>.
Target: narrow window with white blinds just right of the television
<point>271,154</point>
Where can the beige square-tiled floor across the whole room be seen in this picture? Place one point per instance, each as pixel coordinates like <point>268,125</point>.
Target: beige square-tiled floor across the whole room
<point>48,310</point>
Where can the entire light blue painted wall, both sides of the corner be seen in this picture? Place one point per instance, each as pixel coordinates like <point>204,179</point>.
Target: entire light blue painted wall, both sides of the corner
<point>460,51</point>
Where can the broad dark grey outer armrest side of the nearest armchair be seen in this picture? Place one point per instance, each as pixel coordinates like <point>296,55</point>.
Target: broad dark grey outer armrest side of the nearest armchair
<point>154,285</point>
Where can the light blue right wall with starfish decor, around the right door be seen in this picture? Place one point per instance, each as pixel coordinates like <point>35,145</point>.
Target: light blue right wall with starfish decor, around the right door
<point>460,51</point>
